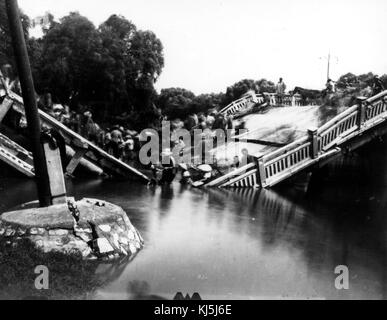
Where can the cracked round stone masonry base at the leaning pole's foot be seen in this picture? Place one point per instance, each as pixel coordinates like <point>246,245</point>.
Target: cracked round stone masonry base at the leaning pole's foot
<point>54,229</point>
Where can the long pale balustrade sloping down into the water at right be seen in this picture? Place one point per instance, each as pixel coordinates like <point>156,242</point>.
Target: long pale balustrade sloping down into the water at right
<point>318,144</point>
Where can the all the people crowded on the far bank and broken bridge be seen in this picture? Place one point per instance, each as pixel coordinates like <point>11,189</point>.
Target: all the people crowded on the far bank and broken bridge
<point>124,143</point>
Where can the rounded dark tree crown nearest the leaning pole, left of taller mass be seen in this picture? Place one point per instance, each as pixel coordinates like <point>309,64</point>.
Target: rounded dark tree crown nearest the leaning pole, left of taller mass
<point>70,59</point>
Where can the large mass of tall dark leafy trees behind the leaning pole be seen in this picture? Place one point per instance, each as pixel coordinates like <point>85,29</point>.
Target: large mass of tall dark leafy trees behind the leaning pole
<point>111,69</point>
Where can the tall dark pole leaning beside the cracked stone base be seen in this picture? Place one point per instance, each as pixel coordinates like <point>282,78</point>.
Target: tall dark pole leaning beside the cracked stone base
<point>31,110</point>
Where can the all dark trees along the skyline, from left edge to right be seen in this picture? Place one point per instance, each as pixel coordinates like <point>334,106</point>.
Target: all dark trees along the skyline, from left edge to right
<point>111,69</point>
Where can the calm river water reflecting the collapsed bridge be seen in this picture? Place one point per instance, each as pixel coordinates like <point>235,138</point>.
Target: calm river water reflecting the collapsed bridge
<point>246,244</point>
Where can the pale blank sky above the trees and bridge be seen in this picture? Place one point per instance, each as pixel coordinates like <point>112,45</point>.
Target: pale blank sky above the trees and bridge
<point>211,44</point>
